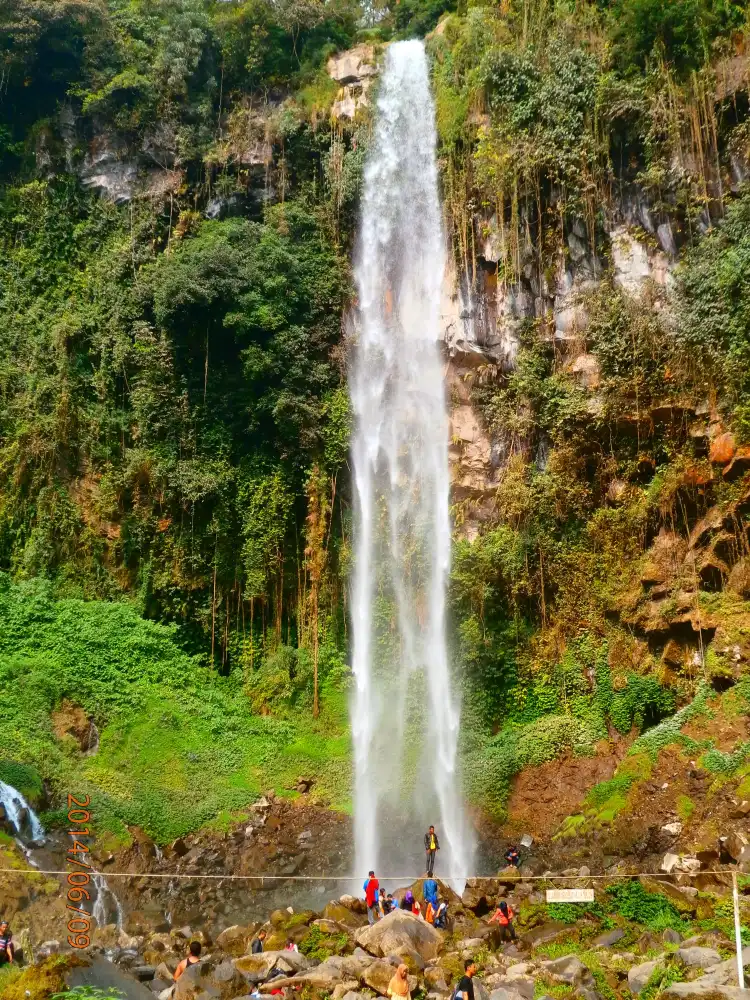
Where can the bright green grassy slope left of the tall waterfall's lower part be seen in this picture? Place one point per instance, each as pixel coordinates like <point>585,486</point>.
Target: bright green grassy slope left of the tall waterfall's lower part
<point>179,746</point>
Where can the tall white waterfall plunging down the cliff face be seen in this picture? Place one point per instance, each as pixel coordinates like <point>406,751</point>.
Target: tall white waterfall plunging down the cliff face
<point>405,716</point>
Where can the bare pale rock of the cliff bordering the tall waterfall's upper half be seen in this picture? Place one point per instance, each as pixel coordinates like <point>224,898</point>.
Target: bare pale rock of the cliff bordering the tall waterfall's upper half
<point>482,315</point>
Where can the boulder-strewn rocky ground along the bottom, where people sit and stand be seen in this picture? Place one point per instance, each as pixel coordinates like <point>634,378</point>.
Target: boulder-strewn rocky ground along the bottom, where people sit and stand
<point>343,958</point>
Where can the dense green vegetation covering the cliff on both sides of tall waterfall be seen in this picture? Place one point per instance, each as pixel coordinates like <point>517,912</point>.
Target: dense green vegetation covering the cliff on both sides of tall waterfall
<point>177,211</point>
